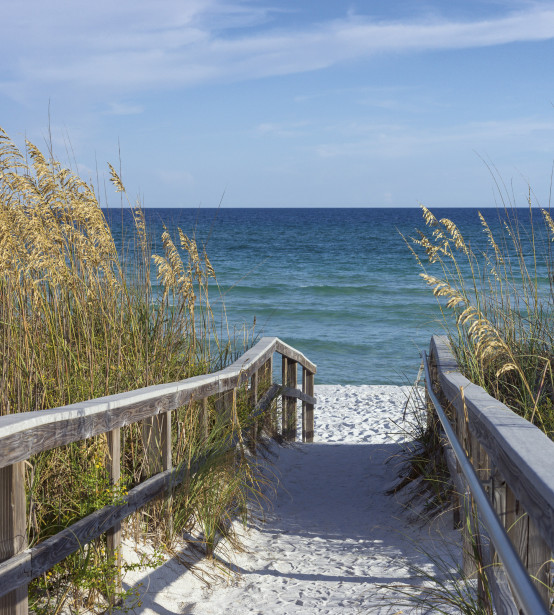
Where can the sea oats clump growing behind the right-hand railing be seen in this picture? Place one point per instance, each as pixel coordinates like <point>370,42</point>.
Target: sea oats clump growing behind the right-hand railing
<point>501,301</point>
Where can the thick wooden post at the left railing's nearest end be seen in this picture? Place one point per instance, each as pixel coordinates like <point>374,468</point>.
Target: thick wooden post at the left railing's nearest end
<point>13,531</point>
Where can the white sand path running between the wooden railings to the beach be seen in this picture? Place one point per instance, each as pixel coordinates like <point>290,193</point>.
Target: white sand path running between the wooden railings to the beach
<point>332,538</point>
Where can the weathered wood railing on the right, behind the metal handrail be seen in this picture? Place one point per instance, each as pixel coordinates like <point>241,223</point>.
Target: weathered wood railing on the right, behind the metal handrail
<point>515,462</point>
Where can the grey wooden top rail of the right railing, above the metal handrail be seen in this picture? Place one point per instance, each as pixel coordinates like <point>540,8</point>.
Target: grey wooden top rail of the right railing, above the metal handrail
<point>522,453</point>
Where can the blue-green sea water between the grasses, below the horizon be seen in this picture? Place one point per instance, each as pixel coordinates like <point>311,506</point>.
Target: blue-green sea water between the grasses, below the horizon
<point>340,285</point>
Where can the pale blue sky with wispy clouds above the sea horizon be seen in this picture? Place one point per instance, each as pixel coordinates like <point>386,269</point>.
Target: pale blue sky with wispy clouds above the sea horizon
<point>304,103</point>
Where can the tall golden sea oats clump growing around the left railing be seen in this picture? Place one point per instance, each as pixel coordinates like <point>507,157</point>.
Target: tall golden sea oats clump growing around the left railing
<point>82,317</point>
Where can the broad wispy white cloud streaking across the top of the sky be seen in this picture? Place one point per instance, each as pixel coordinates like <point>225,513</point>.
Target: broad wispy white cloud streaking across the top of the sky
<point>137,45</point>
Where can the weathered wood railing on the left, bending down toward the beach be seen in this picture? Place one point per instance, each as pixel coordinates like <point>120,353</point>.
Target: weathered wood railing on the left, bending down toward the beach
<point>23,435</point>
